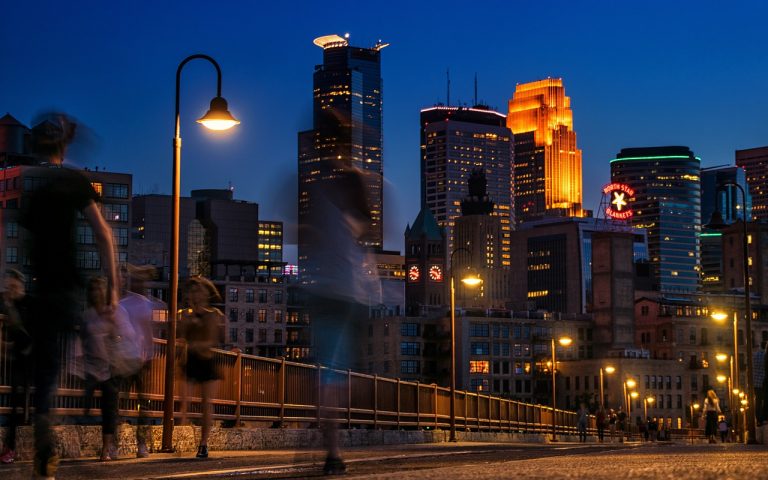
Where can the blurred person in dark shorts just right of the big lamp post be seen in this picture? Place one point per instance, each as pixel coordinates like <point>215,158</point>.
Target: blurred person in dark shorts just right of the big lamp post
<point>201,325</point>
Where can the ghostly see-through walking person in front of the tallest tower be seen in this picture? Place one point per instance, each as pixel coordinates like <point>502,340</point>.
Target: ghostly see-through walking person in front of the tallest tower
<point>336,289</point>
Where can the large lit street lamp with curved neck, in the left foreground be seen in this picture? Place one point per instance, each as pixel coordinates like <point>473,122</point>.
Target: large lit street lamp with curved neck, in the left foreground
<point>217,118</point>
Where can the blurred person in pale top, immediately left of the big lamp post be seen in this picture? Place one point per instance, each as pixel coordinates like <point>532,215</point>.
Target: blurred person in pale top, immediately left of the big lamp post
<point>139,310</point>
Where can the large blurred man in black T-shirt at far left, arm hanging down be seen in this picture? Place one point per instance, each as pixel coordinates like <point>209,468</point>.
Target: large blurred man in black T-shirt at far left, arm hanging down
<point>49,213</point>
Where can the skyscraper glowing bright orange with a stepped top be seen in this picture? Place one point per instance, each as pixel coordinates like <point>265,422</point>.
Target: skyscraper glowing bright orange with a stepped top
<point>547,160</point>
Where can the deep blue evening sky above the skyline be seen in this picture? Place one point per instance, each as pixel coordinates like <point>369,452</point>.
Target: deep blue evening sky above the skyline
<point>638,73</point>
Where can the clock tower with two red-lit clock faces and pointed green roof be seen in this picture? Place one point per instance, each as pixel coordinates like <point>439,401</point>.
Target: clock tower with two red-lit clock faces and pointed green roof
<point>425,272</point>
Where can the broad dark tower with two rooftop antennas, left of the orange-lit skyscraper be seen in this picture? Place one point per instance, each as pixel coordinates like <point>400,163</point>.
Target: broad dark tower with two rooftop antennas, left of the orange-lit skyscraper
<point>454,141</point>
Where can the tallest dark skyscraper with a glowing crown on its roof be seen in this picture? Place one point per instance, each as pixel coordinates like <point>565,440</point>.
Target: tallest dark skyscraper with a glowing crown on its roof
<point>346,133</point>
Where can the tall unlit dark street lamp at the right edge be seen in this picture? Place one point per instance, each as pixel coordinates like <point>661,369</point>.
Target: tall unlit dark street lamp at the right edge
<point>717,223</point>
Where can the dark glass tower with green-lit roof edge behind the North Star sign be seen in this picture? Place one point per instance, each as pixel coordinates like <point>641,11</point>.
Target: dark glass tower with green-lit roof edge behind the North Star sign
<point>667,203</point>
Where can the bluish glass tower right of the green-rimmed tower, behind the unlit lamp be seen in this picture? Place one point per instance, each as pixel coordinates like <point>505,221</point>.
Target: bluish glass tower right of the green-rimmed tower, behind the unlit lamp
<point>726,200</point>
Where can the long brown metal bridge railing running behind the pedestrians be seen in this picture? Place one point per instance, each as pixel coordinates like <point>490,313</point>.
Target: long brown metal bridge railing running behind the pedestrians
<point>285,393</point>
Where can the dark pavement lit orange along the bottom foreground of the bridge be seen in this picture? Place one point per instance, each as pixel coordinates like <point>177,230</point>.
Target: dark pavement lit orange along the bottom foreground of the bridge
<point>442,462</point>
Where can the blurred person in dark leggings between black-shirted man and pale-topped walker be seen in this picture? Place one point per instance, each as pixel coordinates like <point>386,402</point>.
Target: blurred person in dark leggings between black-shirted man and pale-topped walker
<point>96,334</point>
